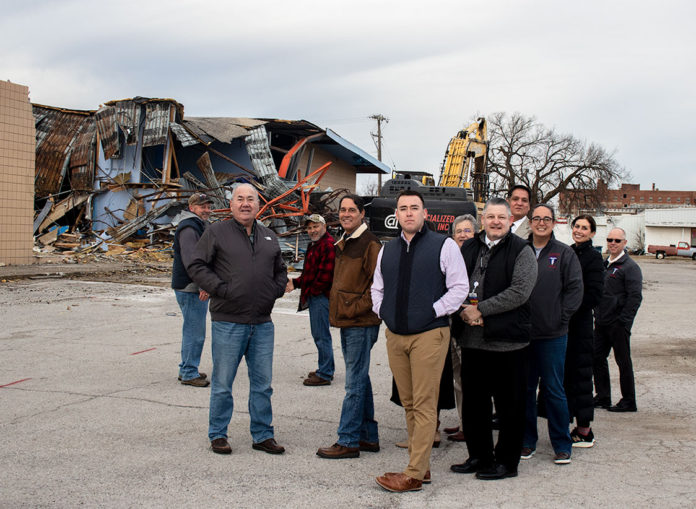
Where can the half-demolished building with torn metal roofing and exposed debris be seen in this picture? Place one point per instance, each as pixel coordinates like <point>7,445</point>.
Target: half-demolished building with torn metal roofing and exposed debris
<point>129,167</point>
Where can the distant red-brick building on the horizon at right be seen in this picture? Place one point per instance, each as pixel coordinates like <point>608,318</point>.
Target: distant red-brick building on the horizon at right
<point>628,196</point>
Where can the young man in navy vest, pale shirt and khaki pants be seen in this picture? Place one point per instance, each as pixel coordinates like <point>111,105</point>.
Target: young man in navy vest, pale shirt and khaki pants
<point>420,279</point>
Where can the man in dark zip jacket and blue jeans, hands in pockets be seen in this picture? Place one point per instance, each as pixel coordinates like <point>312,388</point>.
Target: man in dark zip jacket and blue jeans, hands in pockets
<point>238,262</point>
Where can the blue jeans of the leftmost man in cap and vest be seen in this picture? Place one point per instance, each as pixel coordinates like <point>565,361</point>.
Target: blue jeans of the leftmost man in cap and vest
<point>194,312</point>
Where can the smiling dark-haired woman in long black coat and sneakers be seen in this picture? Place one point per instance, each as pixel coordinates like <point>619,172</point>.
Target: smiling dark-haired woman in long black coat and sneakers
<point>578,366</point>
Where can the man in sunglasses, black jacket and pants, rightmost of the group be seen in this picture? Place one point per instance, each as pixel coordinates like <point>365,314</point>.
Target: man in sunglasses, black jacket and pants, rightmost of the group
<point>623,286</point>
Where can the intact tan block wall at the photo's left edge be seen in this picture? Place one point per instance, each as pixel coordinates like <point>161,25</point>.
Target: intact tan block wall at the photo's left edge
<point>17,152</point>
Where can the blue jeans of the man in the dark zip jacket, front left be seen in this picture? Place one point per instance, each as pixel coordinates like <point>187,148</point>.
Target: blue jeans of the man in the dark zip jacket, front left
<point>230,342</point>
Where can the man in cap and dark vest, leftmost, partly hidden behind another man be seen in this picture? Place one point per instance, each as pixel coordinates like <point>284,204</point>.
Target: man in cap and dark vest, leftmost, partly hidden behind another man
<point>192,300</point>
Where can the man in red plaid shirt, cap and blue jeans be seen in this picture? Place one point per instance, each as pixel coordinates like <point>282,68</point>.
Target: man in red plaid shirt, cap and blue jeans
<point>315,286</point>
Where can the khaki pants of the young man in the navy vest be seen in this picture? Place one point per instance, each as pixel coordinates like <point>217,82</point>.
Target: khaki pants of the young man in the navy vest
<point>416,361</point>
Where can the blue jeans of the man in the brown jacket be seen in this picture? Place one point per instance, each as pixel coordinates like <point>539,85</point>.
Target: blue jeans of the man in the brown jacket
<point>358,411</point>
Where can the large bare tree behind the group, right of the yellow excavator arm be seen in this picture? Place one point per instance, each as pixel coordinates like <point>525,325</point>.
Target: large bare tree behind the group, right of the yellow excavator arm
<point>524,151</point>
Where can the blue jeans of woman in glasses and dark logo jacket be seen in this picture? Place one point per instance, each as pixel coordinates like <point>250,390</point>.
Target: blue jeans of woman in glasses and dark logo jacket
<point>547,362</point>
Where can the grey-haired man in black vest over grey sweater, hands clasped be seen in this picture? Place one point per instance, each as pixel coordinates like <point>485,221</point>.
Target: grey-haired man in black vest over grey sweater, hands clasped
<point>493,329</point>
